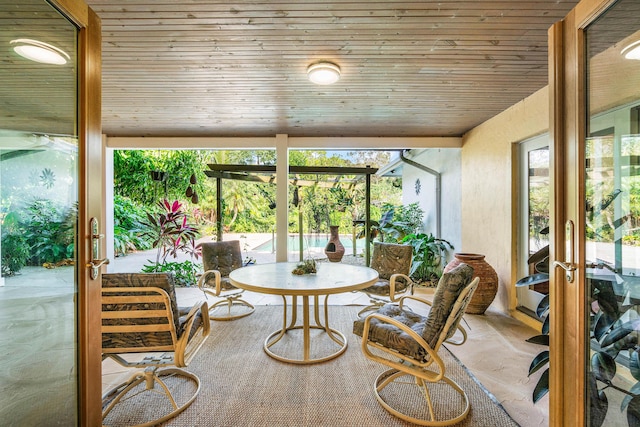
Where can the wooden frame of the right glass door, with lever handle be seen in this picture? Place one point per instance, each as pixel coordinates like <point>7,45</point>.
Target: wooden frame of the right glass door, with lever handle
<point>569,323</point>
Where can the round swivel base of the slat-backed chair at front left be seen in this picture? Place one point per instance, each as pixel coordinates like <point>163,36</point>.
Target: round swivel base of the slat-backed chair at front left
<point>150,376</point>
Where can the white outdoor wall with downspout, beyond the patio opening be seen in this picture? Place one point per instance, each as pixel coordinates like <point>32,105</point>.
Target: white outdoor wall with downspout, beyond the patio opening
<point>446,161</point>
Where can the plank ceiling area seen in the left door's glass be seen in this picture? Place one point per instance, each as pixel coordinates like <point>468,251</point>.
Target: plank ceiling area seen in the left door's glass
<point>36,97</point>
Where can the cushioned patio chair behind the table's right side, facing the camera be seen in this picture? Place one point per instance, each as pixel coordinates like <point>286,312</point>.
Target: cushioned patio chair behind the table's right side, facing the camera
<point>393,264</point>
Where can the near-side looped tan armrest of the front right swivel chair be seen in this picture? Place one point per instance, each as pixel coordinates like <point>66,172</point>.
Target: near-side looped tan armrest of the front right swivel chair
<point>394,355</point>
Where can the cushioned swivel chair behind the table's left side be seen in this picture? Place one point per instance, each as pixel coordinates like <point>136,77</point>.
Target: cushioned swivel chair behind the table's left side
<point>219,259</point>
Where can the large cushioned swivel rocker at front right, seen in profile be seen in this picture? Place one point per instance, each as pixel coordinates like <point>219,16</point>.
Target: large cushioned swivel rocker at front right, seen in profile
<point>409,344</point>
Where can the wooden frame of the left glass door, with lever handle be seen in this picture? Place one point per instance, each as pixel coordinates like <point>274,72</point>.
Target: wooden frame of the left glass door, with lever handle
<point>90,204</point>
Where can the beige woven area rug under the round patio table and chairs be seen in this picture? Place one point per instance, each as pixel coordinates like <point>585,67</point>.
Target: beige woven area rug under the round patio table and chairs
<point>242,386</point>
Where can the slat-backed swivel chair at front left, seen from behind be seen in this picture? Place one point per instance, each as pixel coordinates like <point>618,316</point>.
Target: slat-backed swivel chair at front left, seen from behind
<point>143,327</point>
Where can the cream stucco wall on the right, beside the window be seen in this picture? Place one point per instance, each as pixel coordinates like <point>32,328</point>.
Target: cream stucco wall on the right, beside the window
<point>487,203</point>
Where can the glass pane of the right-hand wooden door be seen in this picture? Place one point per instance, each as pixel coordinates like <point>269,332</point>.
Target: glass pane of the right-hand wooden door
<point>612,216</point>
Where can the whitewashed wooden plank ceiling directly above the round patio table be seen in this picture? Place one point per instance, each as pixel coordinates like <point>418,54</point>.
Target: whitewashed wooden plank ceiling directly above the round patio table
<point>220,68</point>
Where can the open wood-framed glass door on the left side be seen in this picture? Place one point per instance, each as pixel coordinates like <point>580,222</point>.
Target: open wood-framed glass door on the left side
<point>49,140</point>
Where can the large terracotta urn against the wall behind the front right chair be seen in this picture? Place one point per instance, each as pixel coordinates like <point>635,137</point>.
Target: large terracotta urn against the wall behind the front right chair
<point>488,286</point>
